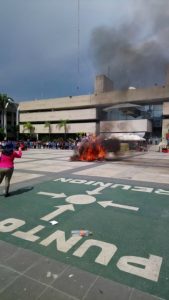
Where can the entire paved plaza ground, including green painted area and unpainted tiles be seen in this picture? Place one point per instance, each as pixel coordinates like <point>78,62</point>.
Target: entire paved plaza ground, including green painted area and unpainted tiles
<point>124,203</point>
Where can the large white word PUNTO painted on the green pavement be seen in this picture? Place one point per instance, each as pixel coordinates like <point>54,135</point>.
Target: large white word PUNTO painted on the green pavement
<point>149,267</point>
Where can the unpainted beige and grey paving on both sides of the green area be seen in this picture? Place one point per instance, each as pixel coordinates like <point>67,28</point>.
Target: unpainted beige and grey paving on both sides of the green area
<point>23,273</point>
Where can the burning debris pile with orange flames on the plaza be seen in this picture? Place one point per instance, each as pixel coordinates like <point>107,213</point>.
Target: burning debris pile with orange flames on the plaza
<point>93,148</point>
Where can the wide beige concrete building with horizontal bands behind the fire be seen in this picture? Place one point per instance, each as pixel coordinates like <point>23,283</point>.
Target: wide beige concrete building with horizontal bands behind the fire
<point>144,111</point>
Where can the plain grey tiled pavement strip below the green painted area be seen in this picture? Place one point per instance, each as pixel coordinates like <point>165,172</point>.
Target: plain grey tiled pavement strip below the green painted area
<point>26,275</point>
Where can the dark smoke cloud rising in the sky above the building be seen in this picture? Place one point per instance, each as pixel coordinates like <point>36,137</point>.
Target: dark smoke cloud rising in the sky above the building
<point>137,51</point>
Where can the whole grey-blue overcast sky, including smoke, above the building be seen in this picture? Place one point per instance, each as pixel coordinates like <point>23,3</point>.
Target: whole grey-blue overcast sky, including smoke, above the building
<point>55,48</point>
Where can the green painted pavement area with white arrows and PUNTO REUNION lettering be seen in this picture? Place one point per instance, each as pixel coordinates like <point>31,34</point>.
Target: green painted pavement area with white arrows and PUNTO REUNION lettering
<point>137,233</point>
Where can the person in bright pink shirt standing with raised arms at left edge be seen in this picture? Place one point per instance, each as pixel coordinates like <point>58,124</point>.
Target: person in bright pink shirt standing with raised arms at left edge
<point>8,154</point>
